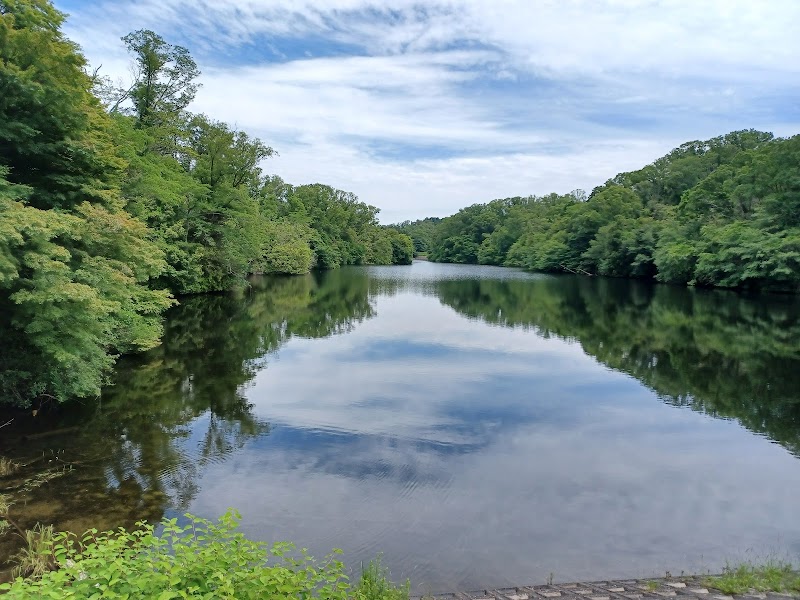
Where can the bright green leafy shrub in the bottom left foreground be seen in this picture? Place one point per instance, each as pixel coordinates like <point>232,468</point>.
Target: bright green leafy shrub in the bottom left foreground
<point>202,559</point>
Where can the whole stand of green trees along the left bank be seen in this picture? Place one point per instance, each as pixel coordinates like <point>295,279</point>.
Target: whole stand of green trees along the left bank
<point>114,199</point>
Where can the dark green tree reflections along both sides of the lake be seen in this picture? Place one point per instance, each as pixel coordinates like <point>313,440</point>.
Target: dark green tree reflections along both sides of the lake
<point>143,446</point>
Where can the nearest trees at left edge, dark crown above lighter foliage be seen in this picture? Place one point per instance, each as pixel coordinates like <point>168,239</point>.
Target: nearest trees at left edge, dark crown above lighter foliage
<point>75,266</point>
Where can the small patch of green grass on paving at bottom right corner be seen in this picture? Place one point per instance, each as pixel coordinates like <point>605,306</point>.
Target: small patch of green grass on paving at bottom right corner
<point>771,576</point>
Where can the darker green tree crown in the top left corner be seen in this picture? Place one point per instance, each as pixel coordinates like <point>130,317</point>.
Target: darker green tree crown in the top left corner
<point>53,135</point>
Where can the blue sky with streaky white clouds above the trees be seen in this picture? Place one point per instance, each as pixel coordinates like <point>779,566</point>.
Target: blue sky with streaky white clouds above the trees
<point>422,108</point>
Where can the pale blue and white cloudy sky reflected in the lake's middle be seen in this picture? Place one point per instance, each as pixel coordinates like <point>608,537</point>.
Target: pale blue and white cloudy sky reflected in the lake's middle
<point>475,455</point>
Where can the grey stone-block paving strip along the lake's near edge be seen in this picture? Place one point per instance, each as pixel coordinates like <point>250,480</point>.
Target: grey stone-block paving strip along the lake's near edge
<point>681,588</point>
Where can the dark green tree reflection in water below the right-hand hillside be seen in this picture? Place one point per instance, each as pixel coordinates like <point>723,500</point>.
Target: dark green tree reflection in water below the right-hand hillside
<point>717,352</point>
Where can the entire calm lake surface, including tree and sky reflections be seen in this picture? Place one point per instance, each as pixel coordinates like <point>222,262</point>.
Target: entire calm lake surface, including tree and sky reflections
<point>478,426</point>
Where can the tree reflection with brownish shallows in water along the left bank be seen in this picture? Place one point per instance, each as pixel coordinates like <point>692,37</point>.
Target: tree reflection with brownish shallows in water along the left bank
<point>143,445</point>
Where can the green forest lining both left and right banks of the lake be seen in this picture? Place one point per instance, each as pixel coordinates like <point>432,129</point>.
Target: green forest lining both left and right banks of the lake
<point>116,201</point>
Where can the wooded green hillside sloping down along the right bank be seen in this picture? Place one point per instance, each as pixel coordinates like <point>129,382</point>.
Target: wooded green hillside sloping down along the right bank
<point>724,212</point>
